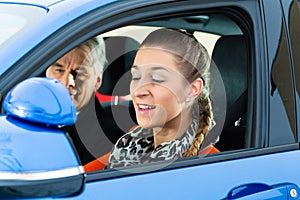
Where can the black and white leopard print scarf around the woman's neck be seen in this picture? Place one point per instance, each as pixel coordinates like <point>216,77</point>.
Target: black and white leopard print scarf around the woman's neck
<point>137,147</point>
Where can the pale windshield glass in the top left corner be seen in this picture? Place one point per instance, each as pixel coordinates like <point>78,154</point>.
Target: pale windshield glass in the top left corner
<point>15,18</point>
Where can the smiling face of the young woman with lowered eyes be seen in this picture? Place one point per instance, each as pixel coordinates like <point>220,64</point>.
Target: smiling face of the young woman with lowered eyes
<point>158,89</point>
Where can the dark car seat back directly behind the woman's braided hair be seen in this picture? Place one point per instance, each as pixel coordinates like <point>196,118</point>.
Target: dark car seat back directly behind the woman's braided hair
<point>229,61</point>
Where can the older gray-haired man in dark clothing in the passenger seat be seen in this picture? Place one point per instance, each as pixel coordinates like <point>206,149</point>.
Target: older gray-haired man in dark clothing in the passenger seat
<point>80,70</point>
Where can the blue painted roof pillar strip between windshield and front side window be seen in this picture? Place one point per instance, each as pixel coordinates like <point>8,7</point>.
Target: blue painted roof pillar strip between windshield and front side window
<point>56,17</point>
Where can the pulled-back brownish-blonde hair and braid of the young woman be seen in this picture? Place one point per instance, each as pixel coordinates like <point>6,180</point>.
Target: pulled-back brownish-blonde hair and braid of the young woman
<point>194,62</point>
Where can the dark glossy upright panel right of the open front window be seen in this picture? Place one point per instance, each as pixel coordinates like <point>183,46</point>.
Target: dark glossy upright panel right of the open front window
<point>282,94</point>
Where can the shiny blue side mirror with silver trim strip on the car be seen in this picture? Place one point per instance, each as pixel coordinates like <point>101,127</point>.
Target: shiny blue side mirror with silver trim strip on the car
<point>37,158</point>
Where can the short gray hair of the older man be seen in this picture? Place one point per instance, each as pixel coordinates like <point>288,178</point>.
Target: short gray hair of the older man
<point>97,47</point>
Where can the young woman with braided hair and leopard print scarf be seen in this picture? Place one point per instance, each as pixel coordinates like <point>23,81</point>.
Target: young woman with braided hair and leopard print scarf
<point>170,92</point>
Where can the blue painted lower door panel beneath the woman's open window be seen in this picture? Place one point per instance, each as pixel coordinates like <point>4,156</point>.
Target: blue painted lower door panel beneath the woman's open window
<point>209,181</point>
